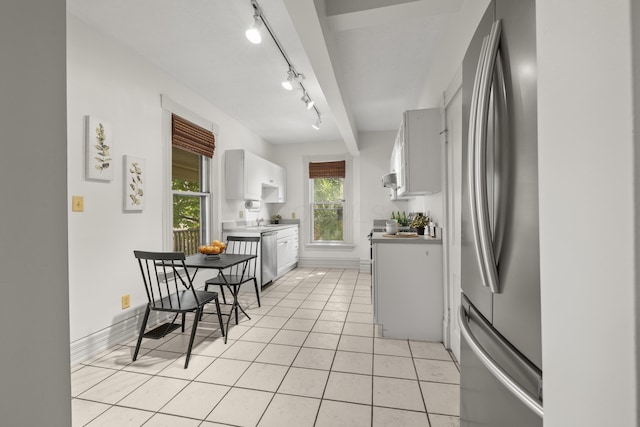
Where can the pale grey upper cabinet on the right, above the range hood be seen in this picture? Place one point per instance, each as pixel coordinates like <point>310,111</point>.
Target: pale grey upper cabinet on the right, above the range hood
<point>416,157</point>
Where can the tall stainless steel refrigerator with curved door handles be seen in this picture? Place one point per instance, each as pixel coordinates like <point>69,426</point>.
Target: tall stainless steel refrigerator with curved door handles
<point>501,350</point>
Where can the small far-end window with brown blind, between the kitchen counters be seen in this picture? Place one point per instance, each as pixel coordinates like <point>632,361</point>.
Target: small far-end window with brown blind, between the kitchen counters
<point>328,204</point>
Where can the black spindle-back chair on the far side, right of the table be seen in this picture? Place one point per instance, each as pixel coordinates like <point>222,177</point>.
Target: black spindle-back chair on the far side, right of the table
<point>235,276</point>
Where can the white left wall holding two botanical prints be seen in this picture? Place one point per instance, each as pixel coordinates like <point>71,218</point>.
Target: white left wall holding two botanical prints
<point>110,82</point>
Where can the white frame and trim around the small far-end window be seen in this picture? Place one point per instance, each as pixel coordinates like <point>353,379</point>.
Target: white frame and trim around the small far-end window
<point>347,227</point>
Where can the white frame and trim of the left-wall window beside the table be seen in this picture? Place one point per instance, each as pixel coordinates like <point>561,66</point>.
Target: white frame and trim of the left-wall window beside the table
<point>208,172</point>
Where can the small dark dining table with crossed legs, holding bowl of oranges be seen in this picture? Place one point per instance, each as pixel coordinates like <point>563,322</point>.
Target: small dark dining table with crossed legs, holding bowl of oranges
<point>220,263</point>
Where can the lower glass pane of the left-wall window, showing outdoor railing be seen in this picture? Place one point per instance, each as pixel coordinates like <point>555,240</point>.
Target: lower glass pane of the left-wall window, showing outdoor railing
<point>186,223</point>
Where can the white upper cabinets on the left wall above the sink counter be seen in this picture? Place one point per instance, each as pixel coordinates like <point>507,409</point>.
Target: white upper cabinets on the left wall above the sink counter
<point>250,177</point>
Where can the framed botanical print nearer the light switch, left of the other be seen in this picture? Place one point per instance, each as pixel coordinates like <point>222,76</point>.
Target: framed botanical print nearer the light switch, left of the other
<point>99,146</point>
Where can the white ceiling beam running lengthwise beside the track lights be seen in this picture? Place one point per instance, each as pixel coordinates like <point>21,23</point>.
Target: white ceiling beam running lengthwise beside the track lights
<point>307,23</point>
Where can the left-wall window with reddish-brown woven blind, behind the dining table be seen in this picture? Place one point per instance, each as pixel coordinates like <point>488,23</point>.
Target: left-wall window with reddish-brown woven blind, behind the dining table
<point>191,150</point>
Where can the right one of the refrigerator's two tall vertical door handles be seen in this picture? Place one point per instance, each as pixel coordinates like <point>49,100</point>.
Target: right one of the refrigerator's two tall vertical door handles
<point>480,164</point>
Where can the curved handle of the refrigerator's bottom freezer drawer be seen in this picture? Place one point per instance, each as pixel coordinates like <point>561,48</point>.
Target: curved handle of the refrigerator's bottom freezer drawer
<point>522,394</point>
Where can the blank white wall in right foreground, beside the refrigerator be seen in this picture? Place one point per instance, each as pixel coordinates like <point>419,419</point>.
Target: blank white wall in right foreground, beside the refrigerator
<point>588,166</point>
